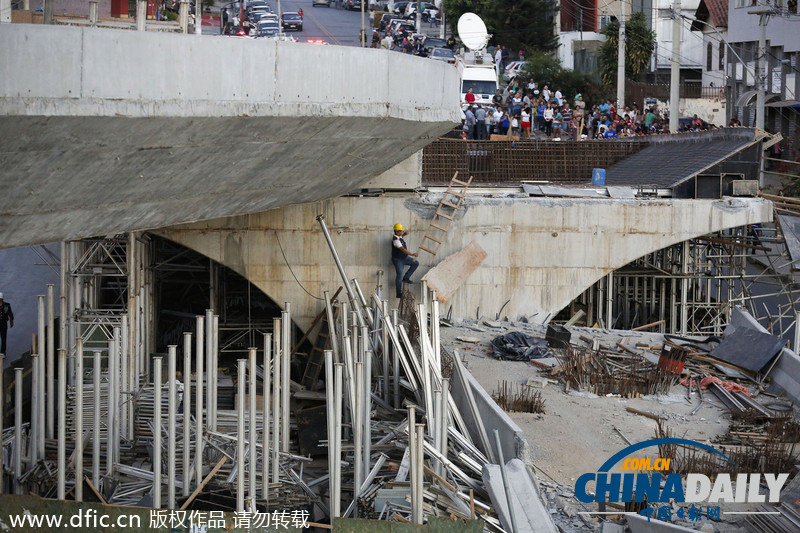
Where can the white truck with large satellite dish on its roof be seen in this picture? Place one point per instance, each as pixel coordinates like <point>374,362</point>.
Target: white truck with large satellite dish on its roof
<point>475,66</point>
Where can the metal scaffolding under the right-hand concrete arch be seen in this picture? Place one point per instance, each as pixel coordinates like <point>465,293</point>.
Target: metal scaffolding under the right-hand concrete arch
<point>691,288</point>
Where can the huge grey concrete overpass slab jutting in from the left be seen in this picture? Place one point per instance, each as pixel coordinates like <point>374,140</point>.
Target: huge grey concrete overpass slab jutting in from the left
<point>108,131</point>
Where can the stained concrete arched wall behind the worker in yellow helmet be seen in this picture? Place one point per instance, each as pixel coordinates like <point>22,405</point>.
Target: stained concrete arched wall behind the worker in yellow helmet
<point>542,252</point>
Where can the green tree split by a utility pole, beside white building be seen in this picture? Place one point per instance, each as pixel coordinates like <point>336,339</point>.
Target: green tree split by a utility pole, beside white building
<point>639,45</point>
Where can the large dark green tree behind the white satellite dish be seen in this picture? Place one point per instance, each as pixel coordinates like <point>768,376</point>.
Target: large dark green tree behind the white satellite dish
<point>517,24</point>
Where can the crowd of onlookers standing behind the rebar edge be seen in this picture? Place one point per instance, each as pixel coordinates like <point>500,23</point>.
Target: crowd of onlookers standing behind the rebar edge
<point>525,110</point>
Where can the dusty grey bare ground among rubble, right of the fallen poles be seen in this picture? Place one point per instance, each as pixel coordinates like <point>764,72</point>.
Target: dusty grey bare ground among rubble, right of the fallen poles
<point>577,434</point>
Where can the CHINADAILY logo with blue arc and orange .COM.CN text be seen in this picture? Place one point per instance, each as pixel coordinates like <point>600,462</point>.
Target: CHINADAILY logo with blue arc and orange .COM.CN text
<point>617,480</point>
